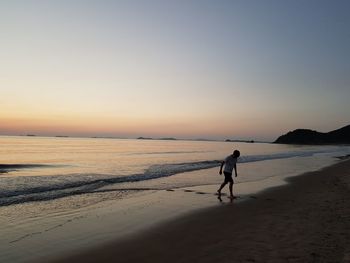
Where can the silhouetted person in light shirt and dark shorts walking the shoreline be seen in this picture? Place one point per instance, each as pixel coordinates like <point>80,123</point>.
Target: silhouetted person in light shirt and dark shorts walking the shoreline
<point>230,164</point>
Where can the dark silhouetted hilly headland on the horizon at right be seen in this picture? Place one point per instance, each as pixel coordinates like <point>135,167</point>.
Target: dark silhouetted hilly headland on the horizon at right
<point>311,137</point>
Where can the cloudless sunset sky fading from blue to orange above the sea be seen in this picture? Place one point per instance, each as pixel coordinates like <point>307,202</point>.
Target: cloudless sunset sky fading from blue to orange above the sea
<point>185,69</point>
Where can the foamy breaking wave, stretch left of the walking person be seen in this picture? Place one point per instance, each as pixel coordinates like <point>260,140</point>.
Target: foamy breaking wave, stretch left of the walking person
<point>88,185</point>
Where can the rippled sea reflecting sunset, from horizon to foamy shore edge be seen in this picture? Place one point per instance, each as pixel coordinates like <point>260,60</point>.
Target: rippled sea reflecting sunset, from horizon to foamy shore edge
<point>44,168</point>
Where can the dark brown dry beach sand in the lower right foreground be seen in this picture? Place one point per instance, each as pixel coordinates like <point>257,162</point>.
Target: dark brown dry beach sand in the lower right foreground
<point>307,220</point>
